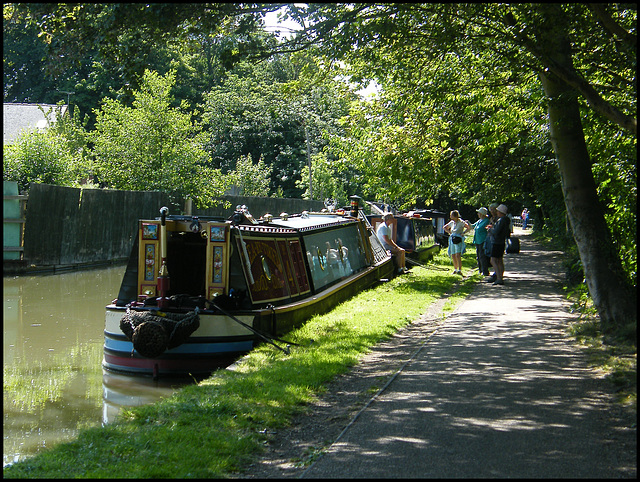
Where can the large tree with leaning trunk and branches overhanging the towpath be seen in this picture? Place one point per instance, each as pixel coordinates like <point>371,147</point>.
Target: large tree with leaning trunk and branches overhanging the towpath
<point>502,45</point>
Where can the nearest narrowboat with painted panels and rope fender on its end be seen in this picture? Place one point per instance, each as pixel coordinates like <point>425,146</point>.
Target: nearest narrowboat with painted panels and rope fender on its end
<point>198,292</point>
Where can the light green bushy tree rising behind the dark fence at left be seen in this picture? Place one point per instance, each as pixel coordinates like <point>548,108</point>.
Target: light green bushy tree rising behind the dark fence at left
<point>152,146</point>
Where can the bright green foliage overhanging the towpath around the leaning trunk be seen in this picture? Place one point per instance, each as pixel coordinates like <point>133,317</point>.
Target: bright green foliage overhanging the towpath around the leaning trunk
<point>462,110</point>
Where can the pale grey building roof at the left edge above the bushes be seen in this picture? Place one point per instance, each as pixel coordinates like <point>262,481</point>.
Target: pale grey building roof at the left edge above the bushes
<point>19,118</point>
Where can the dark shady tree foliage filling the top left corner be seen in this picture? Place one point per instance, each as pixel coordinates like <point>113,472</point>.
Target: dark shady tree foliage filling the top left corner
<point>102,50</point>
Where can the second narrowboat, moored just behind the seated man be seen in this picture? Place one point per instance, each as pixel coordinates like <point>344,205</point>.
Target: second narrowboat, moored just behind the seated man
<point>414,232</point>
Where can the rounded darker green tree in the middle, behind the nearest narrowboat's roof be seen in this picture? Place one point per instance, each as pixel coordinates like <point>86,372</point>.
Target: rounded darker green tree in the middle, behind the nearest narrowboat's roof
<point>270,112</point>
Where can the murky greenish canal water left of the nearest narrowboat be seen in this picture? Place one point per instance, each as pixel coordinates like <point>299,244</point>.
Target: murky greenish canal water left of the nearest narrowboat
<point>53,379</point>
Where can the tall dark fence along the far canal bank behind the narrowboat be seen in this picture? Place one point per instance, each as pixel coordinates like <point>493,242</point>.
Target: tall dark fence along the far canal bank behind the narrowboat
<point>67,226</point>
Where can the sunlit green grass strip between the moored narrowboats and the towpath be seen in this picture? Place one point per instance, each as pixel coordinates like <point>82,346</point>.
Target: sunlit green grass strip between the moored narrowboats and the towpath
<point>216,428</point>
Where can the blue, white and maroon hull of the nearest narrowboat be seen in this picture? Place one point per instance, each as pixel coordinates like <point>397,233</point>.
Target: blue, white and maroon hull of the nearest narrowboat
<point>220,340</point>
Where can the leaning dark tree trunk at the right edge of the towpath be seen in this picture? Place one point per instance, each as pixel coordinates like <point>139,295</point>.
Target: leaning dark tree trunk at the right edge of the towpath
<point>614,299</point>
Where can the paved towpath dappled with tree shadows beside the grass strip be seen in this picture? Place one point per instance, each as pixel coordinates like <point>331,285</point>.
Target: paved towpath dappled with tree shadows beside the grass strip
<point>497,390</point>
